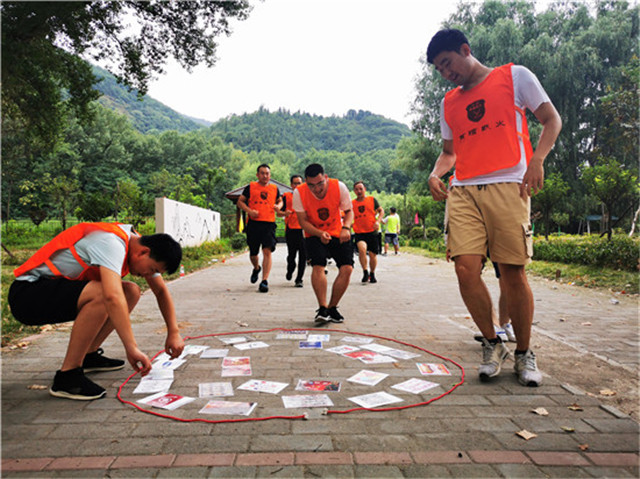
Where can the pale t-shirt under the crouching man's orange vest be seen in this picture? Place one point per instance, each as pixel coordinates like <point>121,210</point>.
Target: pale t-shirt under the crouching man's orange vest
<point>99,248</point>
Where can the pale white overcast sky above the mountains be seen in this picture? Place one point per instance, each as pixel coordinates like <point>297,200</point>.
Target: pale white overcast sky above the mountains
<point>322,57</point>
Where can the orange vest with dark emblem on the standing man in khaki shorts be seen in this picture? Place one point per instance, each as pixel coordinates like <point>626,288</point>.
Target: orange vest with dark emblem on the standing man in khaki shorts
<point>483,121</point>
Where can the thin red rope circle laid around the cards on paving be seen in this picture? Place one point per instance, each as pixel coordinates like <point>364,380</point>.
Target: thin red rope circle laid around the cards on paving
<point>302,416</point>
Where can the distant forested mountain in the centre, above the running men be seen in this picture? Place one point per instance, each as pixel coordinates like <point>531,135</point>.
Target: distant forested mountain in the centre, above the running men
<point>356,132</point>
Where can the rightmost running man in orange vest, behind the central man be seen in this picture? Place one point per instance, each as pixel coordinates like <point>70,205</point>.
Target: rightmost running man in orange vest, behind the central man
<point>366,215</point>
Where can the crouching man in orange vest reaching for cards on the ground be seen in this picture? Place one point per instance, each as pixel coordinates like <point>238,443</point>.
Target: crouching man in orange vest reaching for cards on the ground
<point>77,277</point>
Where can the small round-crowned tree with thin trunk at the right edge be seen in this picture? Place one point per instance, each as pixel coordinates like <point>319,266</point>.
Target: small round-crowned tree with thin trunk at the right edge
<point>614,186</point>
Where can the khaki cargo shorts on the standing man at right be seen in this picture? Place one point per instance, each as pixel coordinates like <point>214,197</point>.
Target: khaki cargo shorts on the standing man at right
<point>490,218</point>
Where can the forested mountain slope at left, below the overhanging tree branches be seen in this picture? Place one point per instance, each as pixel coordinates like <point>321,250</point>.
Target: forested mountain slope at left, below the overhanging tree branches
<point>146,114</point>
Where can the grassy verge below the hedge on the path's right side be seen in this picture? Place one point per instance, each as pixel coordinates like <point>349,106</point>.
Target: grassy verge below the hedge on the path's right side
<point>579,275</point>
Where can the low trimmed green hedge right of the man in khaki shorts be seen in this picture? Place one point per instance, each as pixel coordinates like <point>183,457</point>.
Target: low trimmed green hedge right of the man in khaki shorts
<point>621,252</point>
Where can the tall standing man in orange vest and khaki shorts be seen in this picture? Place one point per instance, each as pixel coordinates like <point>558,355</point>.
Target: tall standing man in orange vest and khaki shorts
<point>485,135</point>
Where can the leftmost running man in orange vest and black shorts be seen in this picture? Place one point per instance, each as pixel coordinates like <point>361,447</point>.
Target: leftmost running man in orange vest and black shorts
<point>261,200</point>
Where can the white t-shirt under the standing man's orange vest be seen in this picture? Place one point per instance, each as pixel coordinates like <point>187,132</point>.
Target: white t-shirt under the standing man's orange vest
<point>528,93</point>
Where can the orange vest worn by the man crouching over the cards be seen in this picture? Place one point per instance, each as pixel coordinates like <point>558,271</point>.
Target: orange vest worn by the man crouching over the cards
<point>67,240</point>
